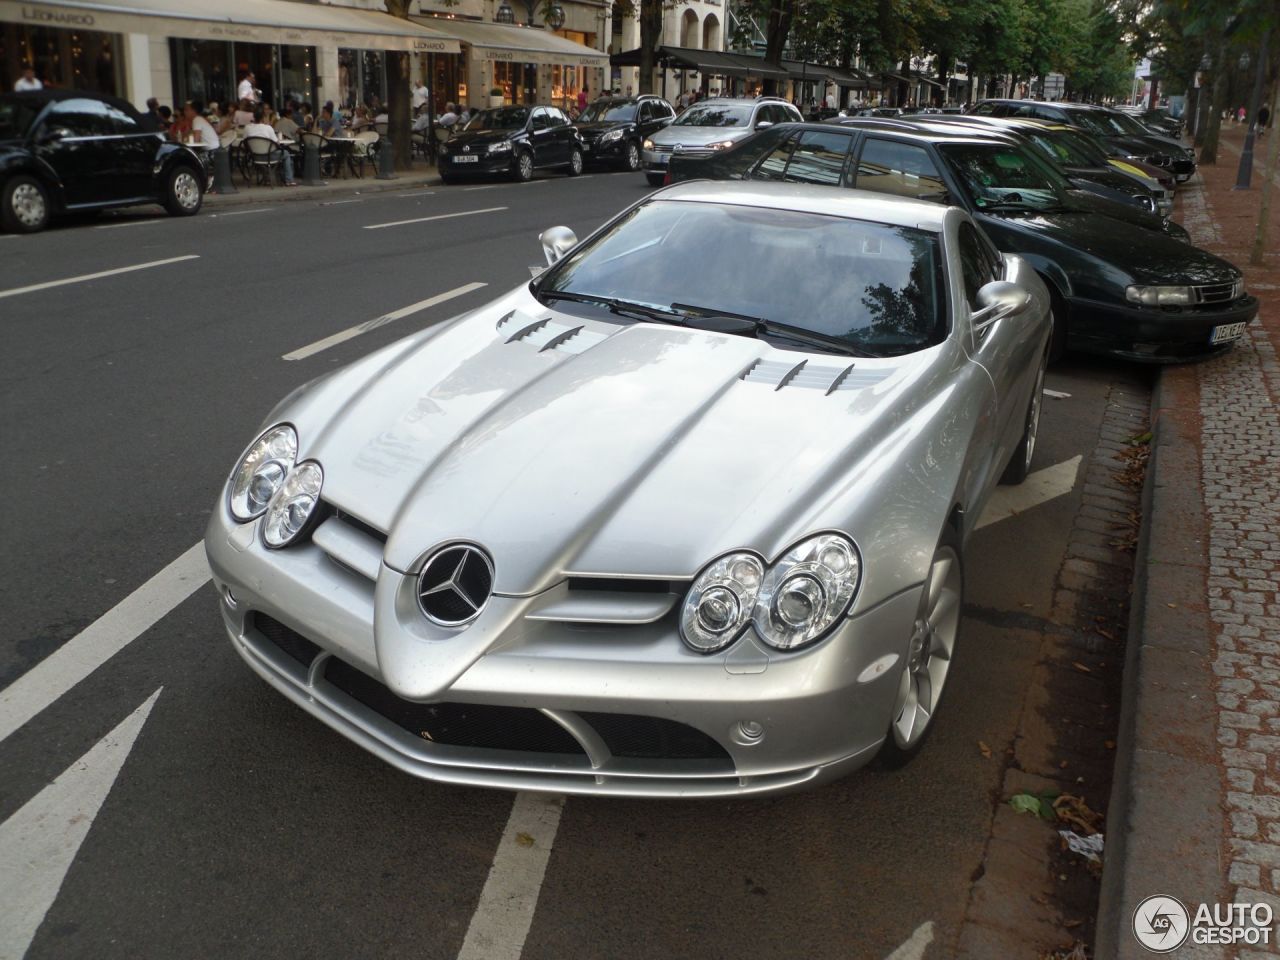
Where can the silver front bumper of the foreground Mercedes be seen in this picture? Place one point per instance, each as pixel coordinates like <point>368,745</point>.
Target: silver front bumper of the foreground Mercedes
<point>824,711</point>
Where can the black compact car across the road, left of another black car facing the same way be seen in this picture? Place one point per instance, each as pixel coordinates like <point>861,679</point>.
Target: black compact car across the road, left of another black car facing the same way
<point>515,141</point>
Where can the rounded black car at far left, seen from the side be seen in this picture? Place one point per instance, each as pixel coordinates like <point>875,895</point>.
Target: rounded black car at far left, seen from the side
<point>65,152</point>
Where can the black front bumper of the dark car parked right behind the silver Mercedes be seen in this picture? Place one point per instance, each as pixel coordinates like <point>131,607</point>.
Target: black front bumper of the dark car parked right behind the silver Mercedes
<point>1153,335</point>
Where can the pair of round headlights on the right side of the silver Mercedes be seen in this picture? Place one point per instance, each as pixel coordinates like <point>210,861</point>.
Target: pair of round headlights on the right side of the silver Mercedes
<point>792,604</point>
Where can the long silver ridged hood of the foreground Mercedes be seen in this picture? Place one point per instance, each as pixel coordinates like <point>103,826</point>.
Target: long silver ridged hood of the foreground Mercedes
<point>578,446</point>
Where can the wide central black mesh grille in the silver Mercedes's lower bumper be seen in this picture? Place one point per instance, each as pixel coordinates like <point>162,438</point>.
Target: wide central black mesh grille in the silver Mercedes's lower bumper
<point>455,724</point>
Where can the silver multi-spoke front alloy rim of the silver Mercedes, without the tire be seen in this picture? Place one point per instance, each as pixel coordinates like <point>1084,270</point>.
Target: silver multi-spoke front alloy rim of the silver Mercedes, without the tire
<point>929,661</point>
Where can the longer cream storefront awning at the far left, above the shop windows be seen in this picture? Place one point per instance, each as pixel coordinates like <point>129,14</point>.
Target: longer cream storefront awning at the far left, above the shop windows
<point>246,21</point>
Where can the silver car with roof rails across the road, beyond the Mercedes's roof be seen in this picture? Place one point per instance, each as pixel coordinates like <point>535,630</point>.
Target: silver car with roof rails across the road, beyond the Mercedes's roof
<point>710,126</point>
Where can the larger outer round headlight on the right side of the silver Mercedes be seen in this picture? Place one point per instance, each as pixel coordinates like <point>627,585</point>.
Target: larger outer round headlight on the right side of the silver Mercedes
<point>807,592</point>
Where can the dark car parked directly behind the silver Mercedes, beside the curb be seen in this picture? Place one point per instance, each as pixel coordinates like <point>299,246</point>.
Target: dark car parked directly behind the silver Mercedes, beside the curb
<point>1117,287</point>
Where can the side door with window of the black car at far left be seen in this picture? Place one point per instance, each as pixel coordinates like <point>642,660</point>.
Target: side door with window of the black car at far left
<point>77,140</point>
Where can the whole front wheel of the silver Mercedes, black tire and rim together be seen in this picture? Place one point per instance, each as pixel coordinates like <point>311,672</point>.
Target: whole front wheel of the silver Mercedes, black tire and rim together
<point>930,653</point>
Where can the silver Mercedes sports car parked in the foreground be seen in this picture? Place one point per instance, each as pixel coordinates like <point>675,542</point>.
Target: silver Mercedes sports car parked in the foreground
<point>684,516</point>
